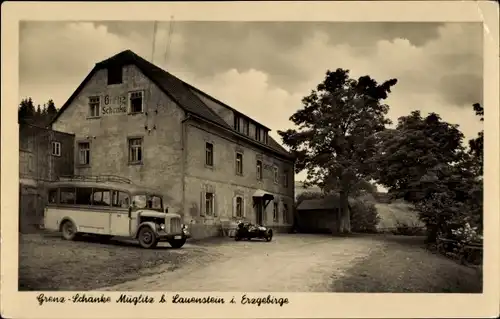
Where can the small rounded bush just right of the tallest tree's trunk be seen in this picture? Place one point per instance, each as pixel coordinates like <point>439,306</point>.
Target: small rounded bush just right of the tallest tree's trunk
<point>364,216</point>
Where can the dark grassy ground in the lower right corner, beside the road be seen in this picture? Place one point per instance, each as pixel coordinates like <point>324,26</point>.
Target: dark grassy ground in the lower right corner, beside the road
<point>403,265</point>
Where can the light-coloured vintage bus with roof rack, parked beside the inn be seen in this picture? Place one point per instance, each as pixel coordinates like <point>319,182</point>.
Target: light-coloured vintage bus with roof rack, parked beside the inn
<point>109,206</point>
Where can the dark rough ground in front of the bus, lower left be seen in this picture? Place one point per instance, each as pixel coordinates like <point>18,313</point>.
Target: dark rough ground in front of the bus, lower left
<point>46,262</point>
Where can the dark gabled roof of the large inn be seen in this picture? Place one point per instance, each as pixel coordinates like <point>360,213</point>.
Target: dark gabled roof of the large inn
<point>177,90</point>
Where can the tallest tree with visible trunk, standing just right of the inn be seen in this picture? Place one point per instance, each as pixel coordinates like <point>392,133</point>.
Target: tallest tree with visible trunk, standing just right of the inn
<point>332,141</point>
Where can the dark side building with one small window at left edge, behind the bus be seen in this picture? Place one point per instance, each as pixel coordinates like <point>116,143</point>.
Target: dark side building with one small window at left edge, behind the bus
<point>44,155</point>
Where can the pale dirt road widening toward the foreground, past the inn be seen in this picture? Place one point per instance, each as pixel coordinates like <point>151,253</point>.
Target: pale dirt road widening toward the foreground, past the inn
<point>290,263</point>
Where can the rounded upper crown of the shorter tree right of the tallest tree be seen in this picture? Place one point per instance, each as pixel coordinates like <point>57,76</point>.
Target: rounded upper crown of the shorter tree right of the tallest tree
<point>413,156</point>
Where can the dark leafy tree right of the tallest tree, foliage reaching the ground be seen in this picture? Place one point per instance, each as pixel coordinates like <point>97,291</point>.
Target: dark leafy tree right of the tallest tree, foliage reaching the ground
<point>424,161</point>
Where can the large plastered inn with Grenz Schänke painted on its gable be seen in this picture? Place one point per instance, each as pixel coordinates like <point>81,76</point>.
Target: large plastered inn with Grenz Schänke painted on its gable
<point>212,163</point>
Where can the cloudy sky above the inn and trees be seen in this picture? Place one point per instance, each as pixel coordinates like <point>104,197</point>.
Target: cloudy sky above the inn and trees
<point>264,69</point>
